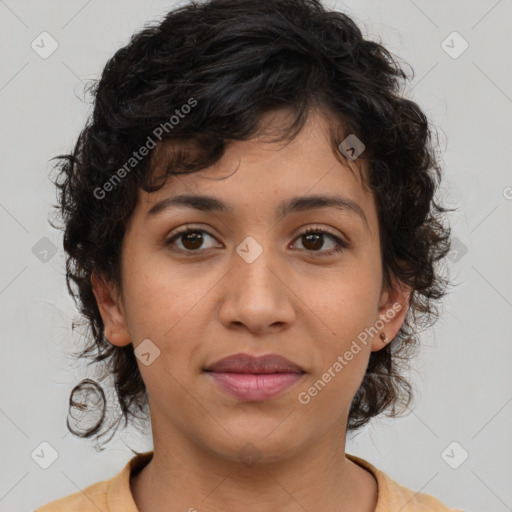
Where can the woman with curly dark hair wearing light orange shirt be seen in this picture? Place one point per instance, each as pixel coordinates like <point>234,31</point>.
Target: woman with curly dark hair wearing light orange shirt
<point>252,234</point>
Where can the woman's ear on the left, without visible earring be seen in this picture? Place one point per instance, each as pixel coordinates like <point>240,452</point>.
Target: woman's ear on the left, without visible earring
<point>111,309</point>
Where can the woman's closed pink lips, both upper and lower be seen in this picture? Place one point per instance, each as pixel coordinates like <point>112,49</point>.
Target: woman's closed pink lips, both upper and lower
<point>254,378</point>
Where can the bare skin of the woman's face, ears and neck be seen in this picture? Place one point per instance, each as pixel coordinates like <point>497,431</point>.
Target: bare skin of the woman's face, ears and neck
<point>199,308</point>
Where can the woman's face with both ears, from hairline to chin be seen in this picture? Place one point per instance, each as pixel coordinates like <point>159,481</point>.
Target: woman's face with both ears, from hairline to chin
<point>248,279</point>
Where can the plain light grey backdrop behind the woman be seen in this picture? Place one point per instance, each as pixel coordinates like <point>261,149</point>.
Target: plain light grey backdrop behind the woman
<point>463,407</point>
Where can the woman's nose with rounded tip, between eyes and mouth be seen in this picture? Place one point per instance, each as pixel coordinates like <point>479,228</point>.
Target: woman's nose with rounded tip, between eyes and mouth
<point>256,296</point>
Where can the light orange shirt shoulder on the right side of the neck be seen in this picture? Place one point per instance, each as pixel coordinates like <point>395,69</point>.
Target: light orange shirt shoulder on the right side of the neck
<point>393,496</point>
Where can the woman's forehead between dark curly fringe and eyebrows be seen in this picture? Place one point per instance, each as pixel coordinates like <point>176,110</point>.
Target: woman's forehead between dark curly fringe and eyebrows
<point>260,177</point>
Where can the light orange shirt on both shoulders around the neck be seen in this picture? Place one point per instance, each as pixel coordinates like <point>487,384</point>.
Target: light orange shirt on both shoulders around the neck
<point>114,495</point>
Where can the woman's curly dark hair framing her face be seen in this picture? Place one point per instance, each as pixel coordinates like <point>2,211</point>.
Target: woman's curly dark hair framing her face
<point>223,64</point>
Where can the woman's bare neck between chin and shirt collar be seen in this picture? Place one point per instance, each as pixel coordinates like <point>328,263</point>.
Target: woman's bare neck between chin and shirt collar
<point>185,476</point>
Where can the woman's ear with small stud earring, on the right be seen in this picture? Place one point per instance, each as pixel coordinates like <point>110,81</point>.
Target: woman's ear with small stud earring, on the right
<point>393,307</point>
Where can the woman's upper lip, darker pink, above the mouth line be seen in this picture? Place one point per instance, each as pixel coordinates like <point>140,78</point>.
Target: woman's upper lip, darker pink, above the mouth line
<point>245,363</point>
